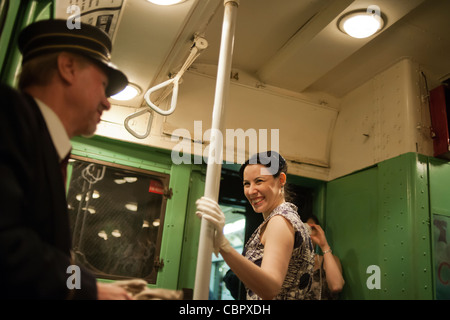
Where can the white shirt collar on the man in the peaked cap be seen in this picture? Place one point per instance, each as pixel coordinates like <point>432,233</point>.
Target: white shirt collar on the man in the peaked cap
<point>57,131</point>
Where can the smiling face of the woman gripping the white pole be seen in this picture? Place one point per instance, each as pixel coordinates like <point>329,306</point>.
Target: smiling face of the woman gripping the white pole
<point>263,191</point>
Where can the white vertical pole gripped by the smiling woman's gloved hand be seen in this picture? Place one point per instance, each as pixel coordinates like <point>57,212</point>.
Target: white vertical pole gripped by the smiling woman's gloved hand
<point>215,157</point>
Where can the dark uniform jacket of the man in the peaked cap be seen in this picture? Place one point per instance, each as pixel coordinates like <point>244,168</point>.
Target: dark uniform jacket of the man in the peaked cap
<point>35,240</point>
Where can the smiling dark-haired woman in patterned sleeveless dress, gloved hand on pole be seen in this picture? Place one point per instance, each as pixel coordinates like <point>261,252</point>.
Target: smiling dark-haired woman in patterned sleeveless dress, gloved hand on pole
<point>278,259</point>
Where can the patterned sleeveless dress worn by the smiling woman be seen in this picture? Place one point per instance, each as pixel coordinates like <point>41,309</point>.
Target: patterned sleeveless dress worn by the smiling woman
<point>300,270</point>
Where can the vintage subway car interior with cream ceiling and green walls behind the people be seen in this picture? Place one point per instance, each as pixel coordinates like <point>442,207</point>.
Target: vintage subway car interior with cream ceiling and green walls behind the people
<point>362,120</point>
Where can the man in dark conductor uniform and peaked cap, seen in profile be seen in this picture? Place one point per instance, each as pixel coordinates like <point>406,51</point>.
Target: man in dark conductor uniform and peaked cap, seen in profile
<point>66,78</point>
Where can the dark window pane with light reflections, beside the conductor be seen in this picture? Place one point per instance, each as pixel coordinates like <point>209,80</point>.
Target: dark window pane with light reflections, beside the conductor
<point>115,215</point>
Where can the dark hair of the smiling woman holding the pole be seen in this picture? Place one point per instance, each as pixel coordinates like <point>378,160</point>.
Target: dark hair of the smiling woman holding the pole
<point>275,163</point>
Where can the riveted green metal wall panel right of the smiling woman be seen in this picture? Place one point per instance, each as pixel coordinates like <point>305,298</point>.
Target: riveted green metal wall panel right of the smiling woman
<point>380,216</point>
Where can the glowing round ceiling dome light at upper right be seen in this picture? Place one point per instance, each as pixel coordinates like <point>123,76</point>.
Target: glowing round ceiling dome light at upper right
<point>361,24</point>
